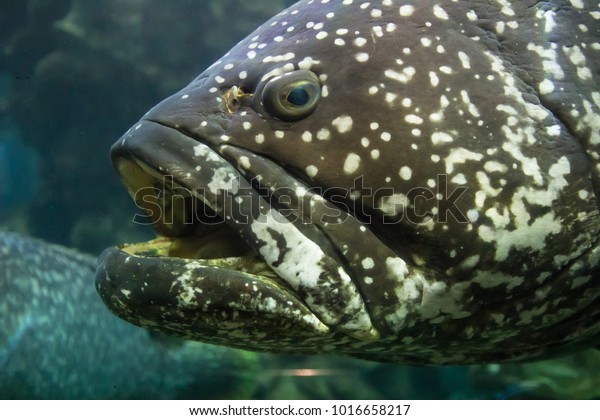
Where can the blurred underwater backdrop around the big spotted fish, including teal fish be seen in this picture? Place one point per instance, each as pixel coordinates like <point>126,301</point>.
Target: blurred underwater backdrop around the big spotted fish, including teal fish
<point>74,76</point>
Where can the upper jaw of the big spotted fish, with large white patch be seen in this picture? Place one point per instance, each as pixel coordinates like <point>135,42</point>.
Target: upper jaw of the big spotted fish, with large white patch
<point>300,255</point>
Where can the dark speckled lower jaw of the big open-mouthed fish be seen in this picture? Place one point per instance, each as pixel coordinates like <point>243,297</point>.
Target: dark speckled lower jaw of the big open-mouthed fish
<point>214,299</point>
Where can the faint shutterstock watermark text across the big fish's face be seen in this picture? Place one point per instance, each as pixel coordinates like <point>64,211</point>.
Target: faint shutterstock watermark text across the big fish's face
<point>246,201</point>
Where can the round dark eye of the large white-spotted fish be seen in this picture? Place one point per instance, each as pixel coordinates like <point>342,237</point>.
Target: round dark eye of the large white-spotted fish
<point>291,96</point>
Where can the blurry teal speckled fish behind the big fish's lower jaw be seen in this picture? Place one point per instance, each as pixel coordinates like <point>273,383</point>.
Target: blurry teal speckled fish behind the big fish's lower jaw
<point>57,341</point>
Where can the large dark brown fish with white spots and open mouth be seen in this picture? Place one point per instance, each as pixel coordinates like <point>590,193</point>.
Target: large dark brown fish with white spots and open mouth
<point>403,181</point>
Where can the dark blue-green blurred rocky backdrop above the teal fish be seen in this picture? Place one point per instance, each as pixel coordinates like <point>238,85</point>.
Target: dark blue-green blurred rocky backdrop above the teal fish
<point>77,74</point>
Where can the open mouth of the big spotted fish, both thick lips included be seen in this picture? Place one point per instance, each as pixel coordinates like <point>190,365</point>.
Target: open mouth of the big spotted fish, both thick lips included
<point>226,263</point>
